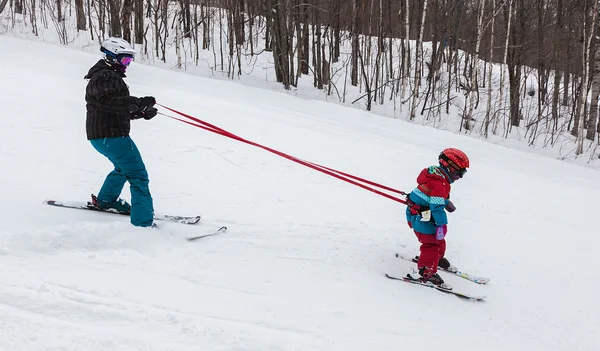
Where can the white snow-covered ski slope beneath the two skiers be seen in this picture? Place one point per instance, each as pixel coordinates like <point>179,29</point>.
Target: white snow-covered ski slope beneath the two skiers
<point>302,264</point>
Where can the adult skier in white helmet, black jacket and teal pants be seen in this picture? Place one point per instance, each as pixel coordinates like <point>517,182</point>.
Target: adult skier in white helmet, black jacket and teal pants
<point>109,111</point>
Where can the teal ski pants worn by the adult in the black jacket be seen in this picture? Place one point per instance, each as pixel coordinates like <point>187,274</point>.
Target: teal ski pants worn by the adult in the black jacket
<point>124,154</point>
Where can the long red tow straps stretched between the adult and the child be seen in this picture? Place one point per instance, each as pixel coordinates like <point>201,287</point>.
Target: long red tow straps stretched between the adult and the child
<point>329,171</point>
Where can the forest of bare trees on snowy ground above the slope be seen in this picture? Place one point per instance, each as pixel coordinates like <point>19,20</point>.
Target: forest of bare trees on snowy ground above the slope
<point>425,57</point>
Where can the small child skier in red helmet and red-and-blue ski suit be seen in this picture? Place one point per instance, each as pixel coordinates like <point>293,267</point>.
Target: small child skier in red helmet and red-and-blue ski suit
<point>426,214</point>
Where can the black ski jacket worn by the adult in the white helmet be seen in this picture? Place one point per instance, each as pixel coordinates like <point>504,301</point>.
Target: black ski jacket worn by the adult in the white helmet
<point>107,102</point>
